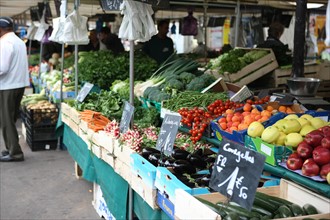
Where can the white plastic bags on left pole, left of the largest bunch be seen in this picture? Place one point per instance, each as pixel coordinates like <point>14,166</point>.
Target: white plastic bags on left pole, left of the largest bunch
<point>75,29</point>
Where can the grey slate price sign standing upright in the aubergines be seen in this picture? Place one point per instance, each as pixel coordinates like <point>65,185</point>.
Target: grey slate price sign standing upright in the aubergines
<point>168,132</point>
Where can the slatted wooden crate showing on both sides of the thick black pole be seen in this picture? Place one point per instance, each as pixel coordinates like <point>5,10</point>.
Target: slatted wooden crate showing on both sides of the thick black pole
<point>280,76</point>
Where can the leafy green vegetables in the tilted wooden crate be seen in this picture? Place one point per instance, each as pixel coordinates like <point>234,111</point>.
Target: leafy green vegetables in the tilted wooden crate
<point>235,60</point>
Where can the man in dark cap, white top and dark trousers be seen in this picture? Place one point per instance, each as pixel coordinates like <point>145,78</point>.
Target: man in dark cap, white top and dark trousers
<point>14,77</point>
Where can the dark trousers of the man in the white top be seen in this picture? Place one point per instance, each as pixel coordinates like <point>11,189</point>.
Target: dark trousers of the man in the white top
<point>9,110</point>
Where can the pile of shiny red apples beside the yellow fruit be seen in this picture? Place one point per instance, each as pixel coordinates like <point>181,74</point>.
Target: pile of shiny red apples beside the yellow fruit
<point>313,154</point>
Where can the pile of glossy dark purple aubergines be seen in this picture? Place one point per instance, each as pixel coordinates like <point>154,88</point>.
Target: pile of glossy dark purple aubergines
<point>193,169</point>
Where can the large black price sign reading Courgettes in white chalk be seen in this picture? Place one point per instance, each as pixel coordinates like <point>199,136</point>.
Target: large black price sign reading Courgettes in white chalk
<point>236,173</point>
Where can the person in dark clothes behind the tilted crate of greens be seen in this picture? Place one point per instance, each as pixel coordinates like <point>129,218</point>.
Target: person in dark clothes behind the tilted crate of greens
<point>281,51</point>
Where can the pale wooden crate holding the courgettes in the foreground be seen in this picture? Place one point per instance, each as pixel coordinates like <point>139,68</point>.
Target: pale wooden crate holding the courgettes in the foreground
<point>287,190</point>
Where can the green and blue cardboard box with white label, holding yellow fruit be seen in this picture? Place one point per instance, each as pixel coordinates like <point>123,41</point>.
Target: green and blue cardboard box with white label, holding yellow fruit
<point>274,154</point>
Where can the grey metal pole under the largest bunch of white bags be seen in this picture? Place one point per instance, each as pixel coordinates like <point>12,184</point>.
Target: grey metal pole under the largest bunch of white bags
<point>131,100</point>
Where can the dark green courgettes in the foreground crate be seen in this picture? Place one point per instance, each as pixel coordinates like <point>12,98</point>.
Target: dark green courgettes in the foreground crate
<point>264,207</point>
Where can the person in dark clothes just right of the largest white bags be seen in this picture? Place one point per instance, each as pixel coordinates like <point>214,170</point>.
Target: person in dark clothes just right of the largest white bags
<point>160,46</point>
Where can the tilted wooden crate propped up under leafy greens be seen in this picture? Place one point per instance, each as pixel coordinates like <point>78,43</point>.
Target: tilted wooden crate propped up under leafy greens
<point>254,70</point>
